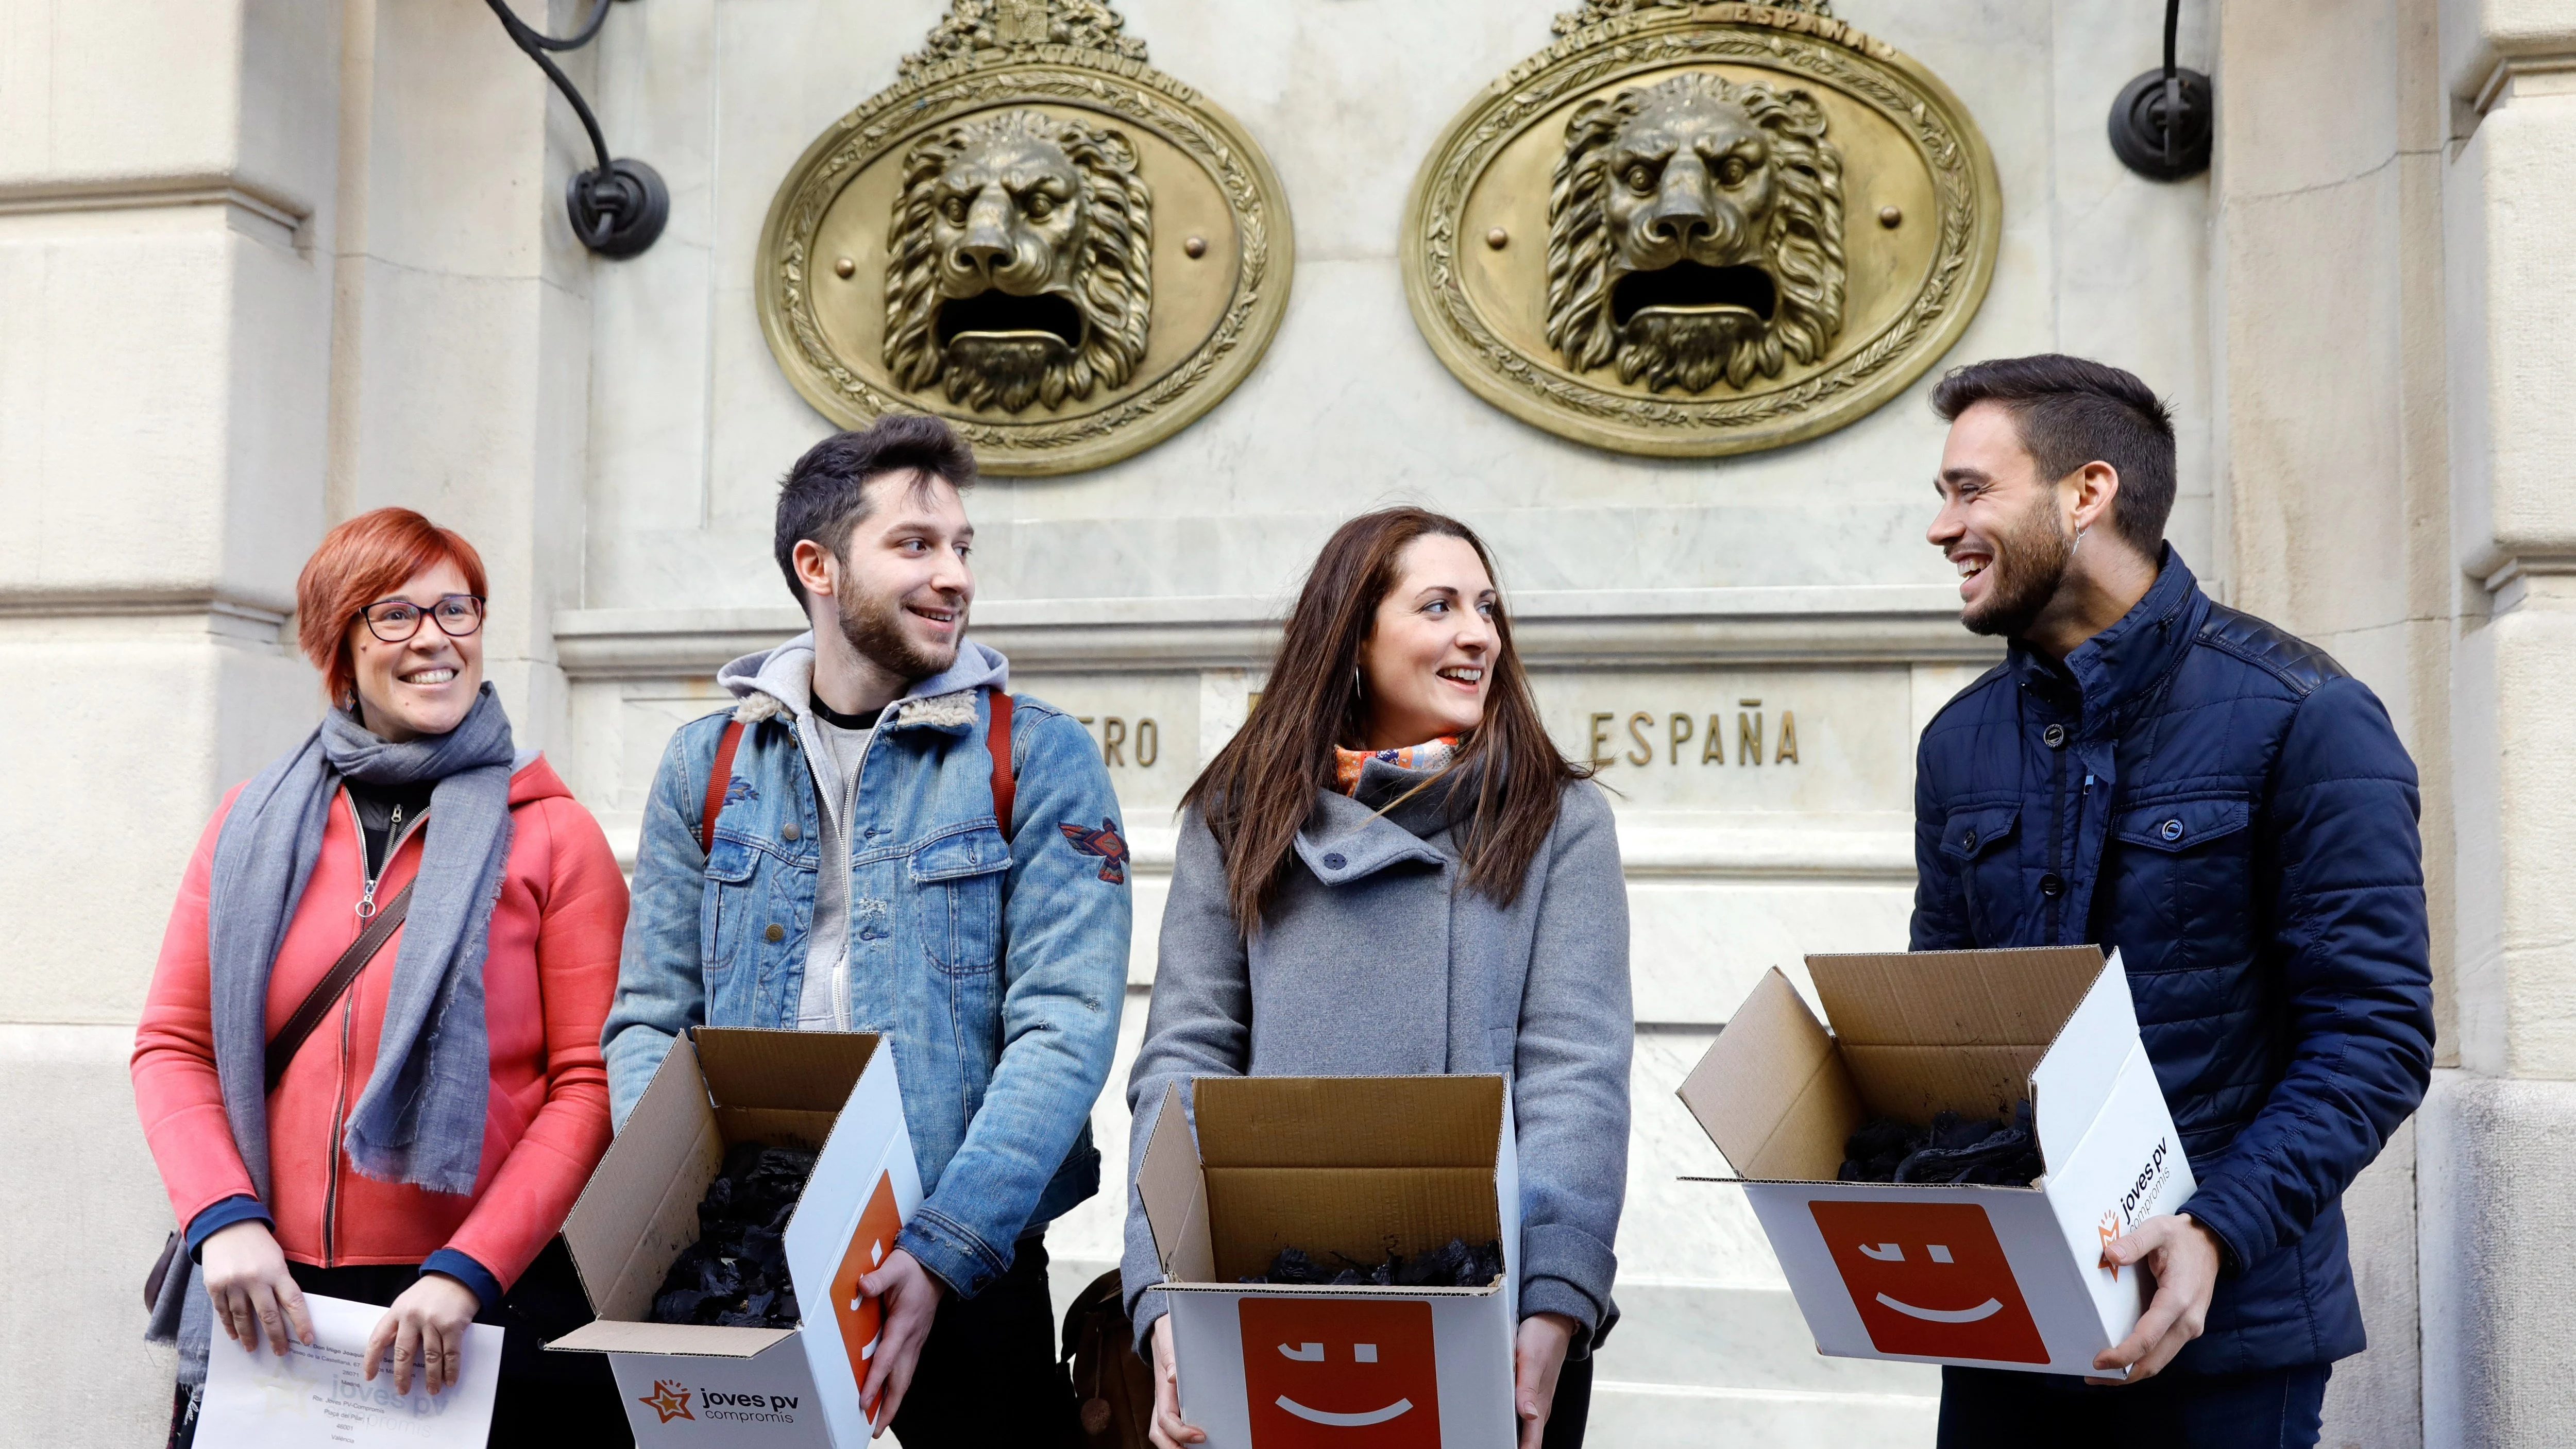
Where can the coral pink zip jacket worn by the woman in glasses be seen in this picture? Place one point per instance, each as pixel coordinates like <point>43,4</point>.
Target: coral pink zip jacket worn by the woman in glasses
<point>550,974</point>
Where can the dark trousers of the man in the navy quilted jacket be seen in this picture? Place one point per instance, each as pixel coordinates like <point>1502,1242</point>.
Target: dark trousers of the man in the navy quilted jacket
<point>2276,1409</point>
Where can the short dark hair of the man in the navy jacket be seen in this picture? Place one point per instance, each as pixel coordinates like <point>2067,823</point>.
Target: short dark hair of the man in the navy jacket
<point>2072,413</point>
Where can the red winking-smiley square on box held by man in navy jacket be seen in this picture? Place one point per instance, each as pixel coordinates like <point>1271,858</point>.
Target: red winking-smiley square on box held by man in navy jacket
<point>1931,1278</point>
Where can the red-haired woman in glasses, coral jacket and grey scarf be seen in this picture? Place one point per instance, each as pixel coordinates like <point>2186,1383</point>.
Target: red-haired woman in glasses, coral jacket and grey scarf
<point>370,1064</point>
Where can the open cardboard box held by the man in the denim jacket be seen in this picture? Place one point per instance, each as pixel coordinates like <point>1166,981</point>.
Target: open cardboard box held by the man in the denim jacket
<point>687,1383</point>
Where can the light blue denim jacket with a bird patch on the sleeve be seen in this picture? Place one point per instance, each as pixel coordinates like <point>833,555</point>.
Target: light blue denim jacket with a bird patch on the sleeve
<point>993,961</point>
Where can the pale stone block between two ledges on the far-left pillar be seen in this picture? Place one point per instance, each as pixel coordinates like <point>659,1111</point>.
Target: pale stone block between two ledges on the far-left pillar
<point>158,364</point>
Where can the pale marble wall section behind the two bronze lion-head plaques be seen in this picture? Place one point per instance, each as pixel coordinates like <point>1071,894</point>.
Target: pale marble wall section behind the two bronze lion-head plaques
<point>1660,601</point>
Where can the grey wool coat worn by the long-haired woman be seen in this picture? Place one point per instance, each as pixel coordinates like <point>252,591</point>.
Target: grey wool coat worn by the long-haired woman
<point>1377,961</point>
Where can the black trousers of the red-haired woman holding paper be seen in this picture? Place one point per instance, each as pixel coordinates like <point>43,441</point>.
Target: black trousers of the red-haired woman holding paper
<point>545,1399</point>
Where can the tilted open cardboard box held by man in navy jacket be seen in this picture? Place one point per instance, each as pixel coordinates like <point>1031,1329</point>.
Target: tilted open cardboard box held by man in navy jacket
<point>2005,1278</point>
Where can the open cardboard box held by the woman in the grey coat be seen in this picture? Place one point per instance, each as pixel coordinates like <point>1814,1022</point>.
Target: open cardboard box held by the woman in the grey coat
<point>1336,1165</point>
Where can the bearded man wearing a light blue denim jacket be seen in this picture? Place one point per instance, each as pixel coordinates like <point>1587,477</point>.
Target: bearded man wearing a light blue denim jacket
<point>859,879</point>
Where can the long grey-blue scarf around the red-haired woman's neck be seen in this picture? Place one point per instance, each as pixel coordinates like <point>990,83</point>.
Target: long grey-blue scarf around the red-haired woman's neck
<point>421,1116</point>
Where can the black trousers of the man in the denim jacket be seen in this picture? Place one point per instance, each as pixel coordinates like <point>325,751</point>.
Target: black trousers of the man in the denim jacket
<point>988,1373</point>
